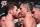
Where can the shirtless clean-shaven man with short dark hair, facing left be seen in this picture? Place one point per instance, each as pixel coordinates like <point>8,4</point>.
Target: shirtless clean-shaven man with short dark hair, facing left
<point>26,8</point>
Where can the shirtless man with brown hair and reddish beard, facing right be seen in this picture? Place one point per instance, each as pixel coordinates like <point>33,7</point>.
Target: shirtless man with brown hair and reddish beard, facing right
<point>11,13</point>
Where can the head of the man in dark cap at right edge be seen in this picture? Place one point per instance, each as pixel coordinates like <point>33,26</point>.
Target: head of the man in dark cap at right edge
<point>36,13</point>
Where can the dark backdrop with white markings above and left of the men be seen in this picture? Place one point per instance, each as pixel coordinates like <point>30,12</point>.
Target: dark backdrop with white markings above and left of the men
<point>4,2</point>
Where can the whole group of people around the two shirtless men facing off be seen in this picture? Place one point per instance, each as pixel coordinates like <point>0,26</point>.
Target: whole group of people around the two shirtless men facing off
<point>27,15</point>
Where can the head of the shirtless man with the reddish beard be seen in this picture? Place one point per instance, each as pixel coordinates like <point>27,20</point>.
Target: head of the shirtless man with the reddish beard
<point>12,9</point>
